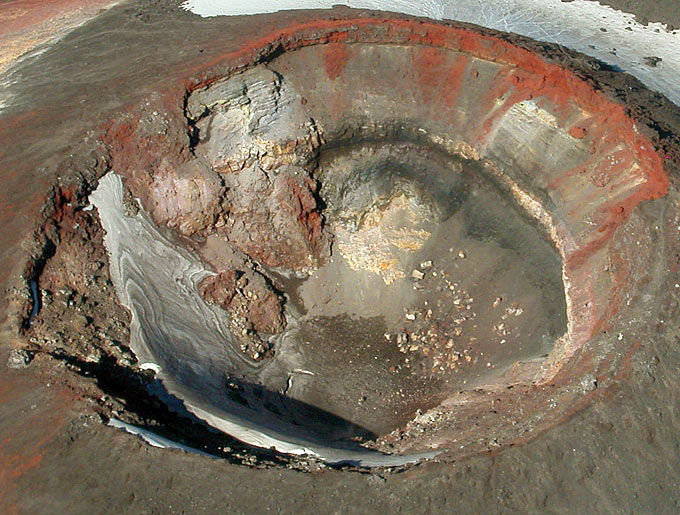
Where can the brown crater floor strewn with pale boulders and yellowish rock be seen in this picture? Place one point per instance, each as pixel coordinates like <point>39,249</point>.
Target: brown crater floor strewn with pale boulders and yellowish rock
<point>436,282</point>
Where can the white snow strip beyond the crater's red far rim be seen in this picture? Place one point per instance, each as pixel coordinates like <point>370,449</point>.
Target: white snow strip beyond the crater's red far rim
<point>575,24</point>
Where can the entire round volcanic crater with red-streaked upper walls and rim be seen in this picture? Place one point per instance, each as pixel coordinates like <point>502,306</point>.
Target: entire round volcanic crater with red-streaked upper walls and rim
<point>374,241</point>
